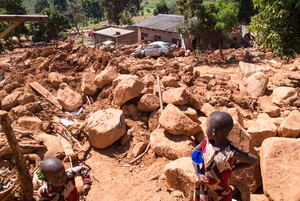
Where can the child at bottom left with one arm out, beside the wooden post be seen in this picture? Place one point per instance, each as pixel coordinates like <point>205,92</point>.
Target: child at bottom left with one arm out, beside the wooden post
<point>59,184</point>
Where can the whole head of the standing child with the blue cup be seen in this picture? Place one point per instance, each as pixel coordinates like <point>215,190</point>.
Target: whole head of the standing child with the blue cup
<point>218,125</point>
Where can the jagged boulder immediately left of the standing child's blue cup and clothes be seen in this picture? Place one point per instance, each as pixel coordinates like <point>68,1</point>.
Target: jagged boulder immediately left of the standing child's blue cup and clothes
<point>180,174</point>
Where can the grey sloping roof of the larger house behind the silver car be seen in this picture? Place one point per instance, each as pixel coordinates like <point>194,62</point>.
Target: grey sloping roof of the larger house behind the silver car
<point>162,22</point>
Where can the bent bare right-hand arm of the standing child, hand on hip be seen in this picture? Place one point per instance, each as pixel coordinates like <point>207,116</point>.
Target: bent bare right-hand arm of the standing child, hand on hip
<point>244,160</point>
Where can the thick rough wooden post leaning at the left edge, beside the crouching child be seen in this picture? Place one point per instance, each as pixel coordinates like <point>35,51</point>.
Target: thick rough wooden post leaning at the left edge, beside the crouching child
<point>23,173</point>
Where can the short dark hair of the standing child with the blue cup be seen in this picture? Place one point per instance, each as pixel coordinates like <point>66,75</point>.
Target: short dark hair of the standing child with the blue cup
<point>221,121</point>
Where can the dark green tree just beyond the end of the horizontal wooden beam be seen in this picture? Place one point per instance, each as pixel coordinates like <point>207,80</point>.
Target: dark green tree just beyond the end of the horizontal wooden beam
<point>56,24</point>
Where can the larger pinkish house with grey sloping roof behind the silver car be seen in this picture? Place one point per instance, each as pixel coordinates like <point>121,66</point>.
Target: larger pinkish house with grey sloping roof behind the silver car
<point>161,28</point>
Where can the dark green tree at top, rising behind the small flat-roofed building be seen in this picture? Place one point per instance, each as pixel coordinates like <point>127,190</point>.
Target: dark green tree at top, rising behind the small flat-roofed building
<point>114,9</point>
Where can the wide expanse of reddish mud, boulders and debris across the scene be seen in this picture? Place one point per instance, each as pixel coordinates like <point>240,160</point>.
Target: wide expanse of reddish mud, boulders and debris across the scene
<point>73,94</point>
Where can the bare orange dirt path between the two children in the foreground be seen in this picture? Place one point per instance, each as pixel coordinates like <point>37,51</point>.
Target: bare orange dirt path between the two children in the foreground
<point>113,180</point>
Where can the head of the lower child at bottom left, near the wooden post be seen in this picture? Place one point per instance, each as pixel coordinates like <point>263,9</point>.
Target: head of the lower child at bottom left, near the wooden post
<point>54,171</point>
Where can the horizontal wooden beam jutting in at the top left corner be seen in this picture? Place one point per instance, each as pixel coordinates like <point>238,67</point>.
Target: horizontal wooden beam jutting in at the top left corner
<point>24,18</point>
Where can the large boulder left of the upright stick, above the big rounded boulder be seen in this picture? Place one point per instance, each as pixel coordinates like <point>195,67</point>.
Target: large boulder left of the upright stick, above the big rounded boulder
<point>127,89</point>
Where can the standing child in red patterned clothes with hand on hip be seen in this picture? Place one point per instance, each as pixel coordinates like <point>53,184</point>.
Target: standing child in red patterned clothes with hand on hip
<point>220,158</point>
